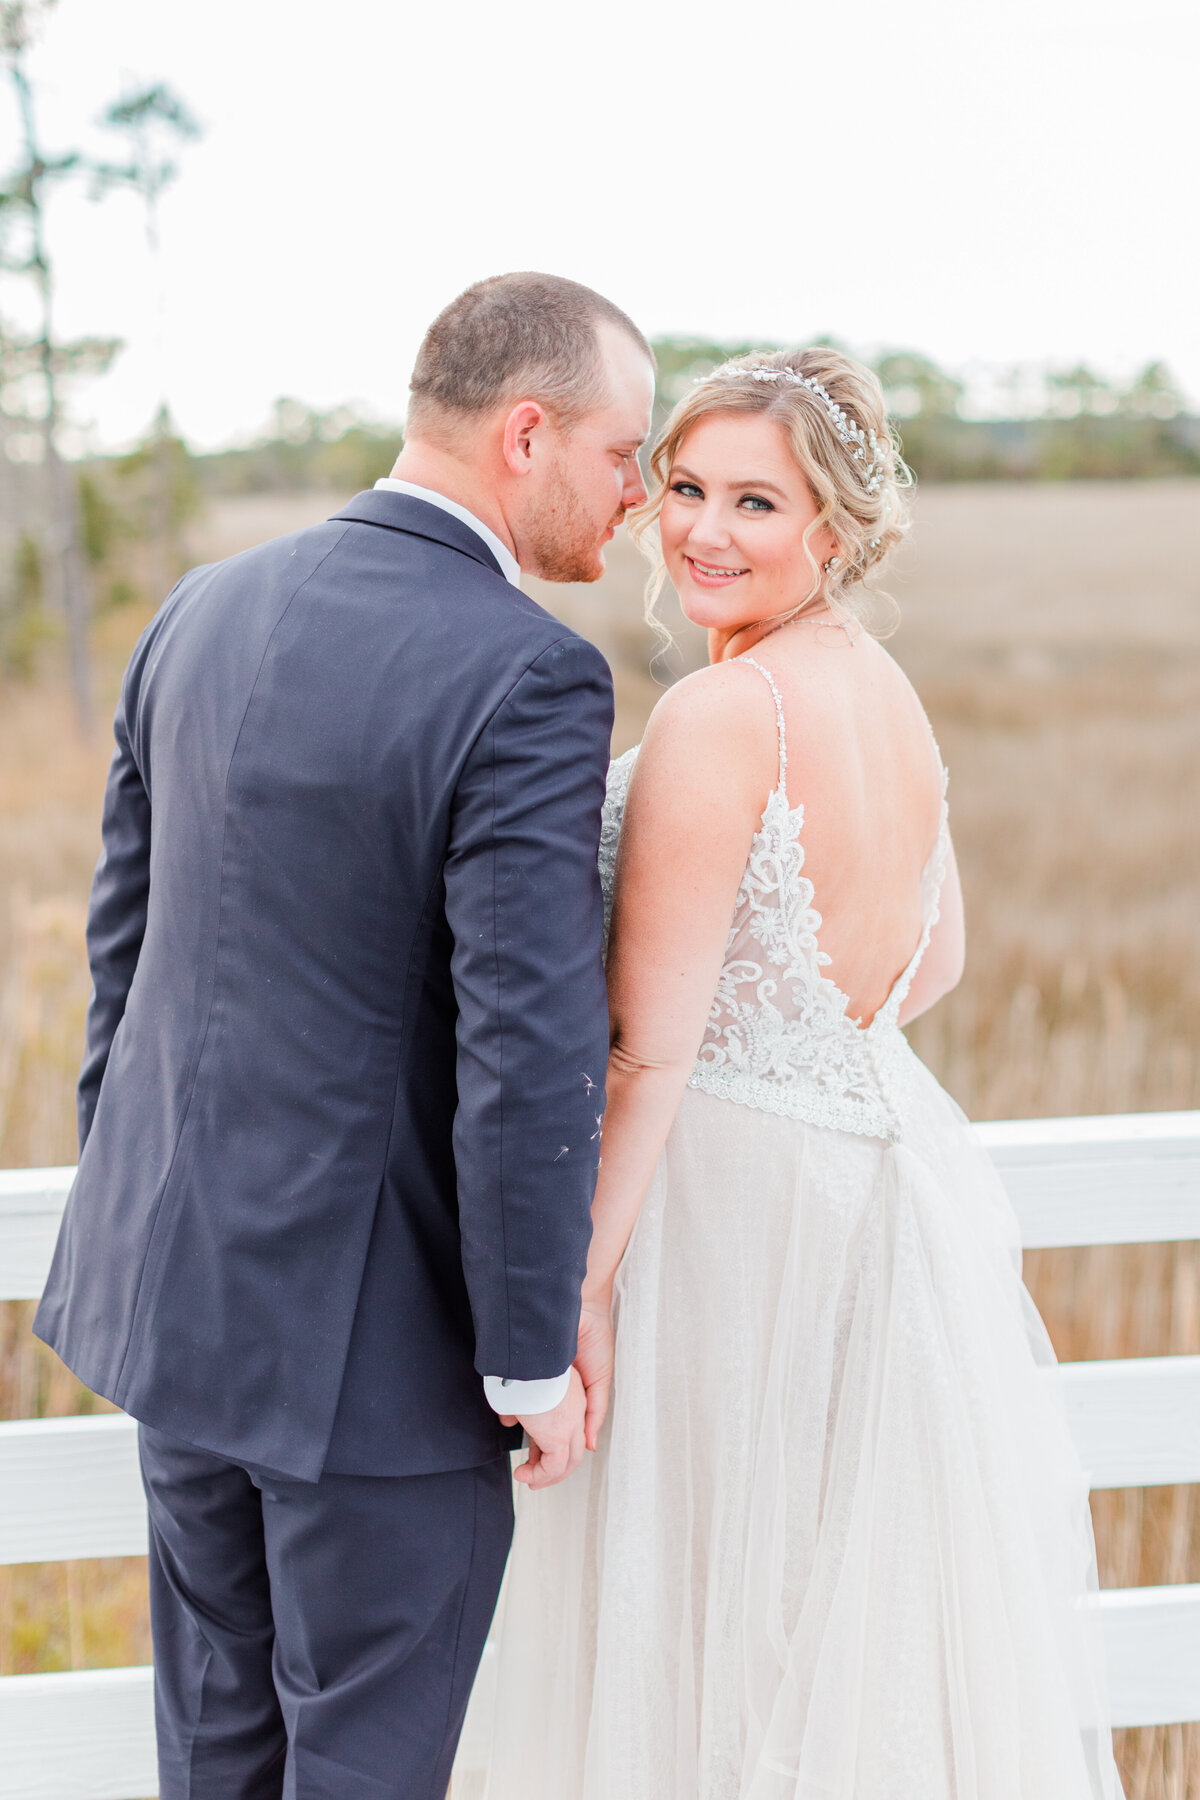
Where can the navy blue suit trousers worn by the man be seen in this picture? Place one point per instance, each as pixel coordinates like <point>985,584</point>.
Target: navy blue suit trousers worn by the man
<point>316,1641</point>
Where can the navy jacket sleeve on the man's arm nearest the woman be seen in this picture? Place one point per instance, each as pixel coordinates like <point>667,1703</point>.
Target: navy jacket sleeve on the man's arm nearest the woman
<point>524,906</point>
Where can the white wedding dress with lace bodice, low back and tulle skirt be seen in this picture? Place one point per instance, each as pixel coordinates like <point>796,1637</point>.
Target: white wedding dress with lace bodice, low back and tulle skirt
<point>836,1542</point>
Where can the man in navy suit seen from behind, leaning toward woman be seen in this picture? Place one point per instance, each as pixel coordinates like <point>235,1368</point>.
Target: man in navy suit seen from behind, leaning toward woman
<point>345,1065</point>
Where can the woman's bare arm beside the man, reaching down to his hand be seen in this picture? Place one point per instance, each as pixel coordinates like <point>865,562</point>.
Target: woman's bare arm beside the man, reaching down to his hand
<point>695,802</point>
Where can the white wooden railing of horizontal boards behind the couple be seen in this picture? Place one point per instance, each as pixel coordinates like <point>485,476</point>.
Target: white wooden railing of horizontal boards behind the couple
<point>69,1488</point>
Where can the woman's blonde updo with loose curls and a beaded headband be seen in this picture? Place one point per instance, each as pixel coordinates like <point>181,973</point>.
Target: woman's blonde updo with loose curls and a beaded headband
<point>834,417</point>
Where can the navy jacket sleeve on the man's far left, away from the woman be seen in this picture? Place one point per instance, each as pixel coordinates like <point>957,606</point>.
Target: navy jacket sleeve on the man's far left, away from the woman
<point>116,913</point>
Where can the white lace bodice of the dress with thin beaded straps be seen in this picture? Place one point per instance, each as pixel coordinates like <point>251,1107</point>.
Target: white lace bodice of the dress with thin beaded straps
<point>778,1034</point>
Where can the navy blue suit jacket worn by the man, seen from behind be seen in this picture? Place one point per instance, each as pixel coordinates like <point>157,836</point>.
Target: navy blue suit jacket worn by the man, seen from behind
<point>345,1065</point>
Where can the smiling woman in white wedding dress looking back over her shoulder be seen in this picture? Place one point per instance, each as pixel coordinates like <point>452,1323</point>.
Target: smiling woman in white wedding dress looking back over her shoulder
<point>834,1542</point>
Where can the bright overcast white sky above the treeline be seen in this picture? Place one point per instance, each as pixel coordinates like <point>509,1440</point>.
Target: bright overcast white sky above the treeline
<point>987,183</point>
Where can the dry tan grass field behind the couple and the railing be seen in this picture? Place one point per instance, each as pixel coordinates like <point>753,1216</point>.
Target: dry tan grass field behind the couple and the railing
<point>1055,636</point>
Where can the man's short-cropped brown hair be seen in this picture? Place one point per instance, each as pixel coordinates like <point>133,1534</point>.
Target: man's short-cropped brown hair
<point>508,339</point>
